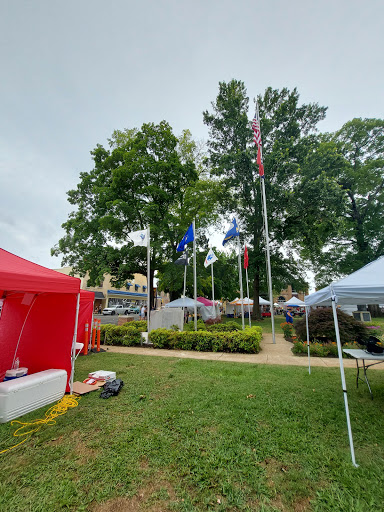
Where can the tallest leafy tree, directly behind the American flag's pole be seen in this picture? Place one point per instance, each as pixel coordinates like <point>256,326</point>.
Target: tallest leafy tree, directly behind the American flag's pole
<point>287,130</point>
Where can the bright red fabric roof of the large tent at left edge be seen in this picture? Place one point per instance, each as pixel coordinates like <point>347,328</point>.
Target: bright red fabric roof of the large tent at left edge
<point>18,274</point>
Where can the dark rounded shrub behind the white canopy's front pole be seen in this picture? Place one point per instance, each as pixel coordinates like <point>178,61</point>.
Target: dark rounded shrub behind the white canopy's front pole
<point>322,328</point>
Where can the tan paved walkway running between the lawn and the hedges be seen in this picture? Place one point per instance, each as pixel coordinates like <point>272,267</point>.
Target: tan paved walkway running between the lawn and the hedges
<point>278,353</point>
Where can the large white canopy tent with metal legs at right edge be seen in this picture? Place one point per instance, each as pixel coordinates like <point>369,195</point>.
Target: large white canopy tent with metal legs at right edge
<point>365,286</point>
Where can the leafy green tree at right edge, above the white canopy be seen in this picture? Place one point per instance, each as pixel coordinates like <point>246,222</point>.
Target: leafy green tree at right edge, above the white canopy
<point>343,181</point>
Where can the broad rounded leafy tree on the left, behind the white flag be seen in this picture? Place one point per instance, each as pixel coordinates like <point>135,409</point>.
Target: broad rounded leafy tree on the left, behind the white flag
<point>141,180</point>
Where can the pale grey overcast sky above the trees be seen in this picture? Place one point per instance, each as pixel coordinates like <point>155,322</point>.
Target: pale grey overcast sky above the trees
<point>72,72</point>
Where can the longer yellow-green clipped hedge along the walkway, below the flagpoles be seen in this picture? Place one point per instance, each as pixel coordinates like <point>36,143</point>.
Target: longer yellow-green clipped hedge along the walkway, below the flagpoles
<point>247,341</point>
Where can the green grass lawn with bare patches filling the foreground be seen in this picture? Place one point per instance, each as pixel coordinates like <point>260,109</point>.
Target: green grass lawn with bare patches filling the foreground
<point>189,435</point>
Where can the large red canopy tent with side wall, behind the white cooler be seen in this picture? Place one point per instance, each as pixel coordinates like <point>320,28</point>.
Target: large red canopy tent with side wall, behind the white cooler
<point>38,317</point>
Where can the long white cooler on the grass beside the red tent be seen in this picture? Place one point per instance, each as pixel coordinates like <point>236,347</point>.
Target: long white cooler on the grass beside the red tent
<point>25,394</point>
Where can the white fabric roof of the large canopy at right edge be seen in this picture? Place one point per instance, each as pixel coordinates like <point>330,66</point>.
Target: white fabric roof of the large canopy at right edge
<point>365,286</point>
